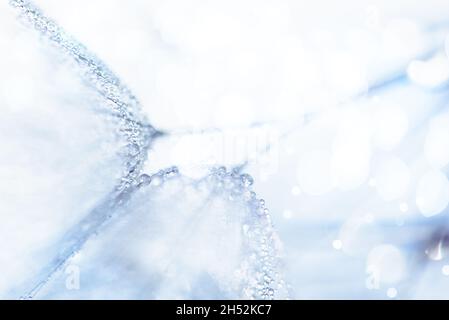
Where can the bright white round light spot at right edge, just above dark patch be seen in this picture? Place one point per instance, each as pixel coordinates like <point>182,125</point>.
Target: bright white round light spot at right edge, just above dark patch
<point>432,193</point>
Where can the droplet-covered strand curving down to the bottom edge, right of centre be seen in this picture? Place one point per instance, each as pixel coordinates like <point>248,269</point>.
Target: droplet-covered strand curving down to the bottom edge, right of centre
<point>260,270</point>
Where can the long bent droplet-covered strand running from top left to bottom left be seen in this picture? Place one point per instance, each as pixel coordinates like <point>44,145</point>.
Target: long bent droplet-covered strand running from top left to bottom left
<point>119,107</point>
